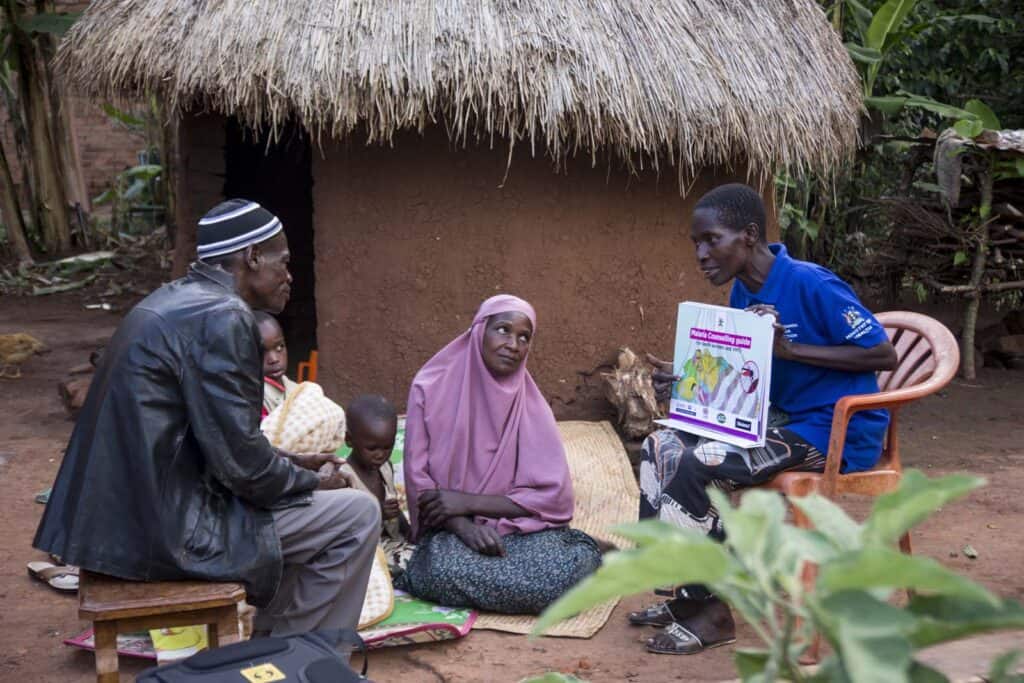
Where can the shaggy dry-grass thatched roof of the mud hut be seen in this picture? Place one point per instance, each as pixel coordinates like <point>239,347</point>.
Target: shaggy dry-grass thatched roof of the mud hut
<point>765,83</point>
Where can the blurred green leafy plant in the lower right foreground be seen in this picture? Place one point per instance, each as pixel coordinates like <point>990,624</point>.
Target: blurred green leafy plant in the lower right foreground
<point>758,572</point>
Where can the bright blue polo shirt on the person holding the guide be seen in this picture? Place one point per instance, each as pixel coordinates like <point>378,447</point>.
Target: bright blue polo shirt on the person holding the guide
<point>819,309</point>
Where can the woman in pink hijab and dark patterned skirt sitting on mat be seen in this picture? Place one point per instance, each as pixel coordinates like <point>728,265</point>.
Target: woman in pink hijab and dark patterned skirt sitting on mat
<point>490,494</point>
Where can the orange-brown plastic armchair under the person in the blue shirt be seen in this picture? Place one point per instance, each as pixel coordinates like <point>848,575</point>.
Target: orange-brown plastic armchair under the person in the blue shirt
<point>928,360</point>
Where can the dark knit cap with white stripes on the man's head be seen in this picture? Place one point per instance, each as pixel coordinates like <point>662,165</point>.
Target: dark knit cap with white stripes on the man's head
<point>233,226</point>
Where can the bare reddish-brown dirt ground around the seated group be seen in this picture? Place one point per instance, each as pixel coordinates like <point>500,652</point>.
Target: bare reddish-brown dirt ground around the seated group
<point>973,428</point>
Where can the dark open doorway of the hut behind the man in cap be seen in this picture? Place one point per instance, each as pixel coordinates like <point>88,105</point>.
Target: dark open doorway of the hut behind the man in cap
<point>279,176</point>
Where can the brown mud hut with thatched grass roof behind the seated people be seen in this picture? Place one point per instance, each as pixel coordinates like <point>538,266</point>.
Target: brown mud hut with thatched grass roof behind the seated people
<point>715,90</point>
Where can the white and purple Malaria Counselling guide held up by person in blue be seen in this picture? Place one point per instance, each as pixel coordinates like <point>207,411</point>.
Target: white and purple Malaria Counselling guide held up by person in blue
<point>723,361</point>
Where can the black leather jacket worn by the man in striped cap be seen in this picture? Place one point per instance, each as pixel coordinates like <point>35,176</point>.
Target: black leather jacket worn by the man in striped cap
<point>167,475</point>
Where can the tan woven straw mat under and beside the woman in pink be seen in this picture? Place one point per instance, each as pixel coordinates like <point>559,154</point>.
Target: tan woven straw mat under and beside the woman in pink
<point>607,495</point>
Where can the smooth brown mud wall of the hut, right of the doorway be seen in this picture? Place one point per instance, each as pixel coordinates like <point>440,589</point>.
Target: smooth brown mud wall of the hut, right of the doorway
<point>411,239</point>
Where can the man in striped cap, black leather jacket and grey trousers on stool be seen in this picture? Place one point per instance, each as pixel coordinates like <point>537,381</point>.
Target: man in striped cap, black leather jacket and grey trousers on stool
<point>167,475</point>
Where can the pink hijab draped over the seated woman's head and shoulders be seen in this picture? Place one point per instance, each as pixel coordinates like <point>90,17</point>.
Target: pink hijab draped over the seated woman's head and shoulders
<point>473,433</point>
